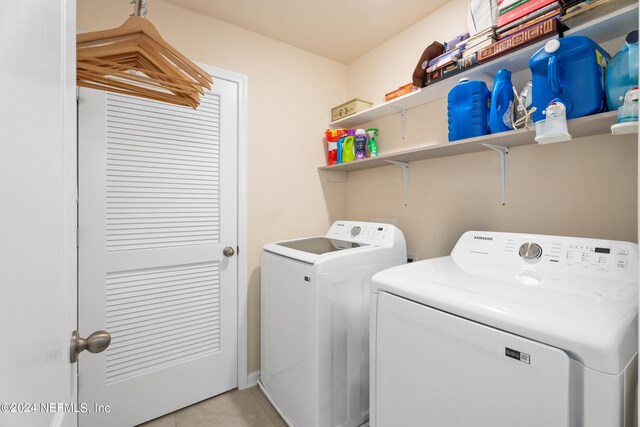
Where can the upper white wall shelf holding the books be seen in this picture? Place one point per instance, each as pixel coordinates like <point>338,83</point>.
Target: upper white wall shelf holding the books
<point>615,24</point>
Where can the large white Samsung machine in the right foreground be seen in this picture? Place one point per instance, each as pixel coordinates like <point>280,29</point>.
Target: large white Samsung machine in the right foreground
<point>510,330</point>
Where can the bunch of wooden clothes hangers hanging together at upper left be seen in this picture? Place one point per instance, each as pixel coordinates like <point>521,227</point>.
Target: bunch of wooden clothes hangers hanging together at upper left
<point>136,60</point>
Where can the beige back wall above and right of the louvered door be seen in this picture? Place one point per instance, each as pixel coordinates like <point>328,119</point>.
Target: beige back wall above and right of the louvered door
<point>291,93</point>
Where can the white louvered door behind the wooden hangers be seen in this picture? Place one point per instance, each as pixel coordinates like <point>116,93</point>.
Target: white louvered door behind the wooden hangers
<point>157,206</point>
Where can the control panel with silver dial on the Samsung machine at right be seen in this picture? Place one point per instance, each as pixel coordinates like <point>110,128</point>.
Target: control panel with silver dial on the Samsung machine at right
<point>578,255</point>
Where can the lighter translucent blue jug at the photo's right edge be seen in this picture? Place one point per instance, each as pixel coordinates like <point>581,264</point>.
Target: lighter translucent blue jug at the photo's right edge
<point>622,73</point>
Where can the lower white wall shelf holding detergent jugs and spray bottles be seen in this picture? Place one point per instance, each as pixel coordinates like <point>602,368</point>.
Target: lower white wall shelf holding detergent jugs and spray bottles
<point>597,124</point>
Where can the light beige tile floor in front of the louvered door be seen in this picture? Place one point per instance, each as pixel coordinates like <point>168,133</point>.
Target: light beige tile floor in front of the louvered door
<point>235,408</point>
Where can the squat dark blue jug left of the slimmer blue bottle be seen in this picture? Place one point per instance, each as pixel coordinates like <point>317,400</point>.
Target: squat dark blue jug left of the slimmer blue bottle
<point>468,109</point>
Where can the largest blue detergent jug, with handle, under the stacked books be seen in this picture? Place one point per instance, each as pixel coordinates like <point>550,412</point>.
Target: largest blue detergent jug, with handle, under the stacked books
<point>569,70</point>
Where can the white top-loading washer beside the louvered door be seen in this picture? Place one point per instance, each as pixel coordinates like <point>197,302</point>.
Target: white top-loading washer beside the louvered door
<point>315,321</point>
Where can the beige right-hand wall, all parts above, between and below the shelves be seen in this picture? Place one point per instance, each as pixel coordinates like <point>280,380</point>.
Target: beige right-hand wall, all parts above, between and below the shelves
<point>586,187</point>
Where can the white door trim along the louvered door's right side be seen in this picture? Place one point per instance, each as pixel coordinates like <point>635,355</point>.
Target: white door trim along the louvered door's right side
<point>241,81</point>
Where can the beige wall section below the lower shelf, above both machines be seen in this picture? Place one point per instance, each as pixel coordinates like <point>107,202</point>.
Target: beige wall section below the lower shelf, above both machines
<point>586,187</point>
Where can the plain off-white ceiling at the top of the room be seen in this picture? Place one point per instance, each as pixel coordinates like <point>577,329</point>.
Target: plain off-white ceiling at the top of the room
<point>342,30</point>
